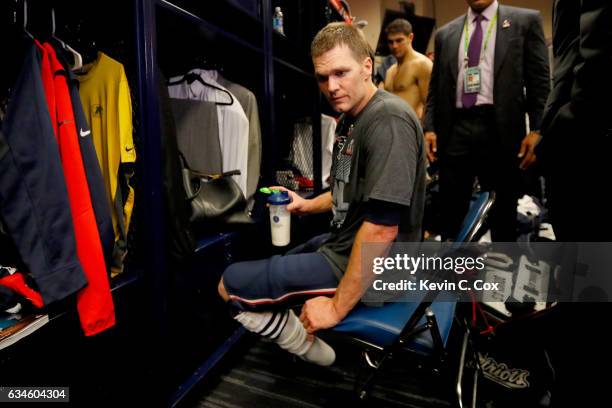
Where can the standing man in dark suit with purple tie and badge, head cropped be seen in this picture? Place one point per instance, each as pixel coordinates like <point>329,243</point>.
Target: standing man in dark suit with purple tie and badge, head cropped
<point>490,69</point>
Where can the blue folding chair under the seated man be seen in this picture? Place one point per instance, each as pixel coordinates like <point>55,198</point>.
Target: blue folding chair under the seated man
<point>420,327</point>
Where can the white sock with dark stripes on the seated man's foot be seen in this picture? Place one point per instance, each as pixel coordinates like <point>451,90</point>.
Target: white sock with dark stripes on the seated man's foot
<point>287,331</point>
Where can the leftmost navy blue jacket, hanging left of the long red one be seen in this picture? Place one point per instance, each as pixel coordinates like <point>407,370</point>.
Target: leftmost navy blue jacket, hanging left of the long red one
<point>33,196</point>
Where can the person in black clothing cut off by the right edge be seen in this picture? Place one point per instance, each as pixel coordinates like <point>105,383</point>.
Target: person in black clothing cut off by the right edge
<point>577,124</point>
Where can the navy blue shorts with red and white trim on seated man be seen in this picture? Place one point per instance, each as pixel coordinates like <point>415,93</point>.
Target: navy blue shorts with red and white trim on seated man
<point>281,280</point>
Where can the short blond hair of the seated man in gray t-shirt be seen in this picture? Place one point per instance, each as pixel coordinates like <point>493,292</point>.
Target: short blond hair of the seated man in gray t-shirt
<point>340,33</point>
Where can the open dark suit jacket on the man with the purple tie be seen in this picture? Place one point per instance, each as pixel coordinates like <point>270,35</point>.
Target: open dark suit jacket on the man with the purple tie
<point>521,76</point>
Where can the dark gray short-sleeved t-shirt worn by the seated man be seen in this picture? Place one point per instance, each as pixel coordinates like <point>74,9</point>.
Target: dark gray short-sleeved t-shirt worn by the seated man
<point>379,155</point>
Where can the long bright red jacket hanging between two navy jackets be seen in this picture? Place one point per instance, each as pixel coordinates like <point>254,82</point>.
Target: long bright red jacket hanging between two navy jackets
<point>94,302</point>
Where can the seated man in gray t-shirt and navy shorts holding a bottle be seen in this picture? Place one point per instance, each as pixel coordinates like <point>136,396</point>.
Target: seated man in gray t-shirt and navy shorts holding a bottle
<point>377,195</point>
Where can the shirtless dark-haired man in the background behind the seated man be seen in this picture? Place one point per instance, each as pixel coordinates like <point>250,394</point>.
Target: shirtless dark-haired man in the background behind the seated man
<point>409,78</point>
